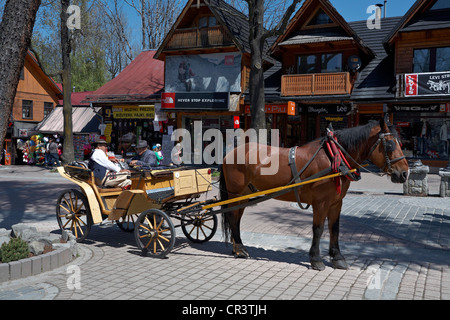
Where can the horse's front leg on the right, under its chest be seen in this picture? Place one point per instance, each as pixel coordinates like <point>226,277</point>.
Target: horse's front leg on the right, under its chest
<point>337,258</point>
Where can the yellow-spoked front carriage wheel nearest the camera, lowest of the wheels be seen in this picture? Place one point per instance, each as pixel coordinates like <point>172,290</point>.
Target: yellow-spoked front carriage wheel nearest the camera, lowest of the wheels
<point>155,233</point>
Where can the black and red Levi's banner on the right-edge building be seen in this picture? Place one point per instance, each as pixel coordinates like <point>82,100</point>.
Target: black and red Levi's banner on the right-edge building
<point>427,84</point>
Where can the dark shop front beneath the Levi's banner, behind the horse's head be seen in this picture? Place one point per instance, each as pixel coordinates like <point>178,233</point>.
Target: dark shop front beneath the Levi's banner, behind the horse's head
<point>424,131</point>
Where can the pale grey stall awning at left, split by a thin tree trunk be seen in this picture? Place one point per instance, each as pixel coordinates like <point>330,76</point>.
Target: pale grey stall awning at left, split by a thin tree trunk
<point>84,119</point>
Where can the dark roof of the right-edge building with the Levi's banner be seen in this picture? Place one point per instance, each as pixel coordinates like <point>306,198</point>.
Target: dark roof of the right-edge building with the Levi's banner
<point>419,17</point>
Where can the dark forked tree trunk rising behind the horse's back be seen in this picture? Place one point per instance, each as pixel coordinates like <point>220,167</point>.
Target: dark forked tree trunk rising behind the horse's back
<point>257,37</point>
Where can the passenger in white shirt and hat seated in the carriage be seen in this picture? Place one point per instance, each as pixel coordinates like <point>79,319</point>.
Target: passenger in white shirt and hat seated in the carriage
<point>107,172</point>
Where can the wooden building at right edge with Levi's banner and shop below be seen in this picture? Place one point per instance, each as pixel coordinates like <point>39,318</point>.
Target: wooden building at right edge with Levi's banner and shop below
<point>420,46</point>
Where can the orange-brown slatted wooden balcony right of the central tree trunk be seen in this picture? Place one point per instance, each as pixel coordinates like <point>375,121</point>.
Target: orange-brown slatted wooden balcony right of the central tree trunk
<point>316,84</point>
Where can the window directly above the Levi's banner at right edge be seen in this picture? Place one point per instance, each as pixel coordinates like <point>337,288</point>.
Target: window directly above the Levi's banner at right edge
<point>431,60</point>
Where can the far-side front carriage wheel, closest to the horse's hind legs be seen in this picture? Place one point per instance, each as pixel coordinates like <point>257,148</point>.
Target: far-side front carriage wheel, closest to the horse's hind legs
<point>200,228</point>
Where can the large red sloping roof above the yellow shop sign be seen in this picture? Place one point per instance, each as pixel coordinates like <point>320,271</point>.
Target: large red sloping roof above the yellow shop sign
<point>141,81</point>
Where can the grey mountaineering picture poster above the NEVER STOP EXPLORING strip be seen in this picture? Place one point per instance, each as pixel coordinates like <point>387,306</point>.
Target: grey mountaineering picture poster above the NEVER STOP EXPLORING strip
<point>216,72</point>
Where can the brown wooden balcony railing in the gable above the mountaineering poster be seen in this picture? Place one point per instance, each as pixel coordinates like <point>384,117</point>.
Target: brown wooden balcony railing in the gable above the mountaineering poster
<point>199,38</point>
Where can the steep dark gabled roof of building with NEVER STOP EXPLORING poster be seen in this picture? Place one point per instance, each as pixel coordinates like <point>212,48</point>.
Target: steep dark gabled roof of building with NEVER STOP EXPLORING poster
<point>234,22</point>
